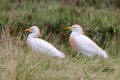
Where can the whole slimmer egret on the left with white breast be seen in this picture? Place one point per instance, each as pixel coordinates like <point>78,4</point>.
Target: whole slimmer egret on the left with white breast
<point>40,45</point>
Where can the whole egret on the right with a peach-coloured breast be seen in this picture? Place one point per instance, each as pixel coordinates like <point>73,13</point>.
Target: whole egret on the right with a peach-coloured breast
<point>83,44</point>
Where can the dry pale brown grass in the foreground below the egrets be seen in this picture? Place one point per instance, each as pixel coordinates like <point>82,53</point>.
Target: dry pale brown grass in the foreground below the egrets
<point>17,62</point>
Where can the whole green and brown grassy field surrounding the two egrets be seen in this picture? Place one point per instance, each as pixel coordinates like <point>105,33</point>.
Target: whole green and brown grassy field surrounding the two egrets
<point>100,21</point>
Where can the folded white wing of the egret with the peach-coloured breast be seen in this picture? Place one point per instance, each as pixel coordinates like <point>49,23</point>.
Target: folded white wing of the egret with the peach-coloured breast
<point>86,45</point>
